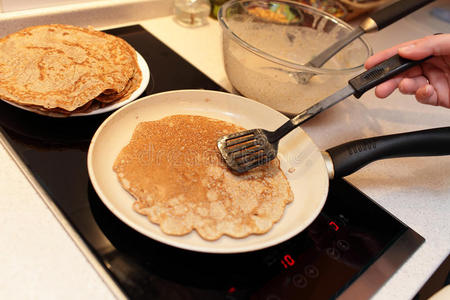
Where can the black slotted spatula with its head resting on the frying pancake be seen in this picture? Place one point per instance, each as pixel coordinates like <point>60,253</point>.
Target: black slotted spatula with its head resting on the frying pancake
<point>248,149</point>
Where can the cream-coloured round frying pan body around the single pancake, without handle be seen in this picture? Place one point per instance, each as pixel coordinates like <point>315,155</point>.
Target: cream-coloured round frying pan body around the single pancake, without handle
<point>300,159</point>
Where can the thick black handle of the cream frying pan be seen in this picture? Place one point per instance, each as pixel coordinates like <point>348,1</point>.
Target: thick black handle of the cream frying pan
<point>352,156</point>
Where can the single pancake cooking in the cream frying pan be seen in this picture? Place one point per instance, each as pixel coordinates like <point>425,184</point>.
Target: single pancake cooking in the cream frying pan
<point>173,169</point>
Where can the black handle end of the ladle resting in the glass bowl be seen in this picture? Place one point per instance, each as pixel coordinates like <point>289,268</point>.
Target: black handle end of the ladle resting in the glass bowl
<point>394,12</point>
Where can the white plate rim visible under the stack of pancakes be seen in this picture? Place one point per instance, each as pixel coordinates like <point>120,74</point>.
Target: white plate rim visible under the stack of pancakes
<point>145,79</point>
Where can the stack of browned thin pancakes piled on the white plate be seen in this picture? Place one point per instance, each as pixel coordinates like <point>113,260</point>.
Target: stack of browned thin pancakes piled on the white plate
<point>66,69</point>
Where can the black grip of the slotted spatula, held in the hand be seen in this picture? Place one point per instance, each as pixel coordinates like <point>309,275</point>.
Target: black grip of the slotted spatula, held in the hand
<point>381,73</point>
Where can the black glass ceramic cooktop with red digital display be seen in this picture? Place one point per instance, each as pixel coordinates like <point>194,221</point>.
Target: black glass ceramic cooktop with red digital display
<point>348,252</point>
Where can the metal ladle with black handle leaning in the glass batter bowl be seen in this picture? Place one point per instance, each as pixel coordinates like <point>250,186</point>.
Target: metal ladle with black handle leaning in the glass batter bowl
<point>378,20</point>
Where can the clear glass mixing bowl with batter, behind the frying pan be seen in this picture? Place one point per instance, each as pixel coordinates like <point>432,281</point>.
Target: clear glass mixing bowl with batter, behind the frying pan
<point>266,44</point>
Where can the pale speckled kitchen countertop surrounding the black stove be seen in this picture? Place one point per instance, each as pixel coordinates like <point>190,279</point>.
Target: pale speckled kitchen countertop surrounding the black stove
<point>39,259</point>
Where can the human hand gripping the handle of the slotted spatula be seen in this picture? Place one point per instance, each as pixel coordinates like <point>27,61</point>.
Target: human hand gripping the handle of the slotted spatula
<point>429,81</point>
